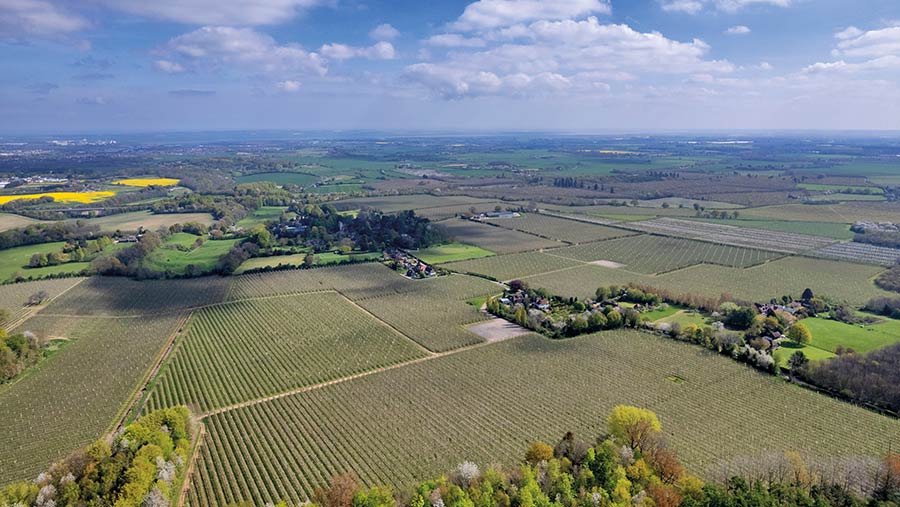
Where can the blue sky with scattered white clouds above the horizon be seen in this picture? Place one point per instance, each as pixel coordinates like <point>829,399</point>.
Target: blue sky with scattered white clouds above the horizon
<point>424,65</point>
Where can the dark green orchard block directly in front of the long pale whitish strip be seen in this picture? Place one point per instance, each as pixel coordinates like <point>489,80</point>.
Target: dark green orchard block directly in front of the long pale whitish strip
<point>658,254</point>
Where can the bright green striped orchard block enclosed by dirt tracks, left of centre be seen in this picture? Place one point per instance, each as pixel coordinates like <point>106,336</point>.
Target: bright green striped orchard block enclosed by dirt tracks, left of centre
<point>245,350</point>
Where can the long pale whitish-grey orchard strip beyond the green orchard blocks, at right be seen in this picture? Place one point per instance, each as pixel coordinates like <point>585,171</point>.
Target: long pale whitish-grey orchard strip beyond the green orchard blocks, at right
<point>730,235</point>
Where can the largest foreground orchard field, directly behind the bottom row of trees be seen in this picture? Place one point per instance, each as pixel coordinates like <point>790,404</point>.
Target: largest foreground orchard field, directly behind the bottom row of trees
<point>494,400</point>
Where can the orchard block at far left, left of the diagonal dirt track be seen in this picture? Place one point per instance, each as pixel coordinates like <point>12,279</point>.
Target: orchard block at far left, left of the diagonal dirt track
<point>81,390</point>
